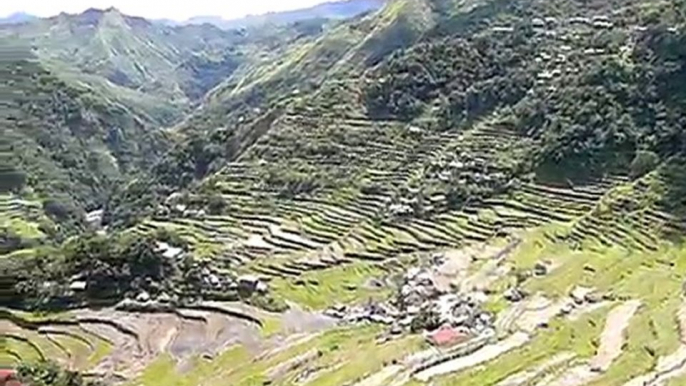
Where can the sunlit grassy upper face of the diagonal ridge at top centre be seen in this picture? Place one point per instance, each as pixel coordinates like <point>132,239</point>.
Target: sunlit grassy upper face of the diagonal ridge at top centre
<point>303,66</point>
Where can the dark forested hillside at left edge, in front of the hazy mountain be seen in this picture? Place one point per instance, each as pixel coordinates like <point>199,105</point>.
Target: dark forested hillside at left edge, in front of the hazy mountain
<point>66,145</point>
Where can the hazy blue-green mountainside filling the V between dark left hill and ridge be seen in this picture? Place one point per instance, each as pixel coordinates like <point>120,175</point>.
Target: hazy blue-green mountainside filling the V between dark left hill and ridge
<point>162,70</point>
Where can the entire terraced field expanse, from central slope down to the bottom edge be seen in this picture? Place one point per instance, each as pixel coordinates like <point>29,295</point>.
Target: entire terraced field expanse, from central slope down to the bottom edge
<point>321,246</point>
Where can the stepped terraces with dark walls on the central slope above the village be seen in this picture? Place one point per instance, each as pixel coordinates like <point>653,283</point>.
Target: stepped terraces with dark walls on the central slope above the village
<point>371,163</point>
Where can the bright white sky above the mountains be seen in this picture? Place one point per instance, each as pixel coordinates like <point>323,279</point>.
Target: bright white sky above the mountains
<point>157,9</point>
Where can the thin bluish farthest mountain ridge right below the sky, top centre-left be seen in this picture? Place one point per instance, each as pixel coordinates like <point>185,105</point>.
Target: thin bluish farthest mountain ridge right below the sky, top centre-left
<point>332,10</point>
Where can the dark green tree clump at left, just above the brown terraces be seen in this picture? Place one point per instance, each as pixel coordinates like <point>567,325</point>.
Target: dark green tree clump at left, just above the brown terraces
<point>111,268</point>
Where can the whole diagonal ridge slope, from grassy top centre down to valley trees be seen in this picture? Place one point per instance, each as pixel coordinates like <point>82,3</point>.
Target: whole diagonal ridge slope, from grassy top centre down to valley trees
<point>240,110</point>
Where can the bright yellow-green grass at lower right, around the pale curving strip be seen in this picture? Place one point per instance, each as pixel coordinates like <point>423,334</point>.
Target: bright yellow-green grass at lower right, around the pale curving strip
<point>625,274</point>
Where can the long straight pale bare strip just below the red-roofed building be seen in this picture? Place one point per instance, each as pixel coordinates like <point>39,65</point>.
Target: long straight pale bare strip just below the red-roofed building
<point>482,355</point>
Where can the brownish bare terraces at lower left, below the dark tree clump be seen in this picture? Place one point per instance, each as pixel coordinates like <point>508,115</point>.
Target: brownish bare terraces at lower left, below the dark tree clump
<point>120,345</point>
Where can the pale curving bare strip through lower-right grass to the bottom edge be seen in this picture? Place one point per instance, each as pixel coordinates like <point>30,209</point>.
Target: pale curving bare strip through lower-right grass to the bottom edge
<point>610,348</point>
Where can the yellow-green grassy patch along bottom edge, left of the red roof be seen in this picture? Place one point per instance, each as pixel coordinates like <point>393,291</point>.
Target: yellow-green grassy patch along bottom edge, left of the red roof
<point>343,354</point>
